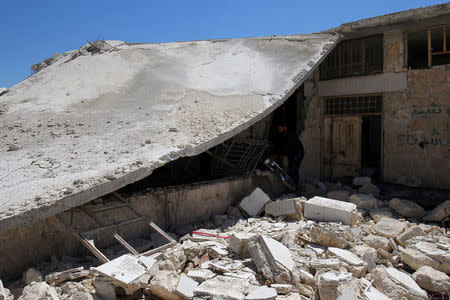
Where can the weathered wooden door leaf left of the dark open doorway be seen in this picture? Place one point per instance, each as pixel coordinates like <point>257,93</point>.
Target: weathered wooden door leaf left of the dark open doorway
<point>342,146</point>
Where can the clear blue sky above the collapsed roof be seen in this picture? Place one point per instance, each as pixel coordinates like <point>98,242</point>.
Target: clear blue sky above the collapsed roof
<point>31,31</point>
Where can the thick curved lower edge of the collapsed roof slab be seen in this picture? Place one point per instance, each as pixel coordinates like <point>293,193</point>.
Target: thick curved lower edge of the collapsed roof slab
<point>82,197</point>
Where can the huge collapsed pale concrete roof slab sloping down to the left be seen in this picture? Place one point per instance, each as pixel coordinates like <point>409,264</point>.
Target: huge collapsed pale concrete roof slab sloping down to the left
<point>94,120</point>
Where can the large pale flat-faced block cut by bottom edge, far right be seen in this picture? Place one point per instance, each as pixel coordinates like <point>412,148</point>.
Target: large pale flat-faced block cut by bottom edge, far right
<point>397,285</point>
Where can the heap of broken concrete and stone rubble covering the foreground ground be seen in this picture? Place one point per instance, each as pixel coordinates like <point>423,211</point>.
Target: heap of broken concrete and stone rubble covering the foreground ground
<point>321,248</point>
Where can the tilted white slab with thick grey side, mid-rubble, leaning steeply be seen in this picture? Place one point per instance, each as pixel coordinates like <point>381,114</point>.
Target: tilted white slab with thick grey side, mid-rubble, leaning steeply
<point>271,258</point>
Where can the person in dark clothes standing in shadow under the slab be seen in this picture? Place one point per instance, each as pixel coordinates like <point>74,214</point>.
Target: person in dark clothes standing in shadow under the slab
<point>287,146</point>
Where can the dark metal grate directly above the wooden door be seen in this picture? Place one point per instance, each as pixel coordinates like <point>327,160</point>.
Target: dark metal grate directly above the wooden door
<point>353,105</point>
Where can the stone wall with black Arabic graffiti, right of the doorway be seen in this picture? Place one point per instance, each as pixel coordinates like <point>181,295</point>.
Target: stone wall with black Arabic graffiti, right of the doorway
<point>416,130</point>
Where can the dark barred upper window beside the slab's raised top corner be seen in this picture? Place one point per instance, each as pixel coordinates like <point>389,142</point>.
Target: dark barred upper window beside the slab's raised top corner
<point>354,57</point>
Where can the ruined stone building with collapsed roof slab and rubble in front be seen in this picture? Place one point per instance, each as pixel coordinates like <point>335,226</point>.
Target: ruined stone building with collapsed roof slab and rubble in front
<point>117,155</point>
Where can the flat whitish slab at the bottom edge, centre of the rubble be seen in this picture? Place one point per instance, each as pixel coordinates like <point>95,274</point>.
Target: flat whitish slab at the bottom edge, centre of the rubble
<point>224,287</point>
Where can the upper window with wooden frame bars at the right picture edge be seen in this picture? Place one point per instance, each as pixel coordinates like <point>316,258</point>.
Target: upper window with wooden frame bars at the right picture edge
<point>429,47</point>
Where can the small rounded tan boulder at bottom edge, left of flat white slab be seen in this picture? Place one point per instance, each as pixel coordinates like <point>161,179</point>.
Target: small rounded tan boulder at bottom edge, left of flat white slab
<point>164,285</point>
